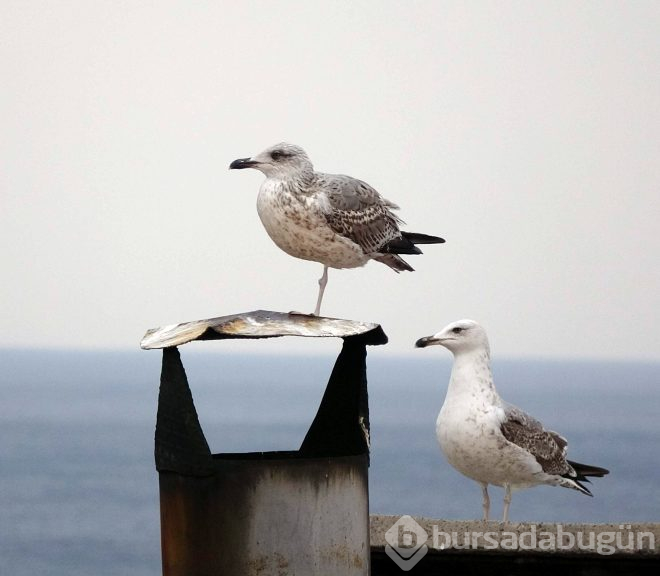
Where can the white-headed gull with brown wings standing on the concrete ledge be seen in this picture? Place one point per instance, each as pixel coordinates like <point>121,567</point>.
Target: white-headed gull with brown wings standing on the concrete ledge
<point>487,439</point>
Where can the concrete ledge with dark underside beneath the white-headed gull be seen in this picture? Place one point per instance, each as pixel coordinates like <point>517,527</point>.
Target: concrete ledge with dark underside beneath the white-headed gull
<point>470,547</point>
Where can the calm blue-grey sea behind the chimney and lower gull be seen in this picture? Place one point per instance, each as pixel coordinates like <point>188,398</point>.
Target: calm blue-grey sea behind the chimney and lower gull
<point>79,491</point>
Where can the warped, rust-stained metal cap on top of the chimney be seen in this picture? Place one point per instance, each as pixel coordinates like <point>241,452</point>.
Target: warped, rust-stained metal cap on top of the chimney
<point>260,324</point>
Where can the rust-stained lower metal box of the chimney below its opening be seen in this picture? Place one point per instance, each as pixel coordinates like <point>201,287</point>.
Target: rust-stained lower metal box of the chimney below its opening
<point>268,514</point>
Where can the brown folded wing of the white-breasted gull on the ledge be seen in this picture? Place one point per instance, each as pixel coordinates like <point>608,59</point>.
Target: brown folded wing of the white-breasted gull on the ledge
<point>548,447</point>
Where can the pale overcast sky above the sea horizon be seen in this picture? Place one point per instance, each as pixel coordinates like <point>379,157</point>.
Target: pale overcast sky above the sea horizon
<point>525,133</point>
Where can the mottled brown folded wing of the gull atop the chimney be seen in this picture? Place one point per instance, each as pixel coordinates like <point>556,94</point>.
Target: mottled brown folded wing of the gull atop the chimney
<point>357,211</point>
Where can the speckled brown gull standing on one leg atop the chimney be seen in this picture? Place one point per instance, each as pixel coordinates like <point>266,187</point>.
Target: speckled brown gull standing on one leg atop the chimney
<point>333,219</point>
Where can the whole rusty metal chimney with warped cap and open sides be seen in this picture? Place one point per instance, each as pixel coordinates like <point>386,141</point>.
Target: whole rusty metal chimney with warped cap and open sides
<point>269,513</point>
